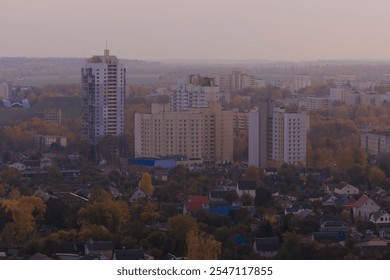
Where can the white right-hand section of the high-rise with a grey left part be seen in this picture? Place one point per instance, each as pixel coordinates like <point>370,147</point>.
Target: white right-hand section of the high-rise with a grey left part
<point>289,136</point>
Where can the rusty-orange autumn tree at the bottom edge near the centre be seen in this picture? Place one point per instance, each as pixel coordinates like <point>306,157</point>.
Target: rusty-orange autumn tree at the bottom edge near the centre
<point>201,246</point>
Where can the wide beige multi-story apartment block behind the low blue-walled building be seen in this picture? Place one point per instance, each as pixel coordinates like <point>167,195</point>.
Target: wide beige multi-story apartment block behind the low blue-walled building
<point>204,133</point>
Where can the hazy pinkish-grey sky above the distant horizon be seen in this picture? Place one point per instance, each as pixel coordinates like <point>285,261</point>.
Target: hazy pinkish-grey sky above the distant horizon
<point>294,30</point>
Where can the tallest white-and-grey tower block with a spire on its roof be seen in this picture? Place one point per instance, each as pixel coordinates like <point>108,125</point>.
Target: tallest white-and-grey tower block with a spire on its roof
<point>103,81</point>
